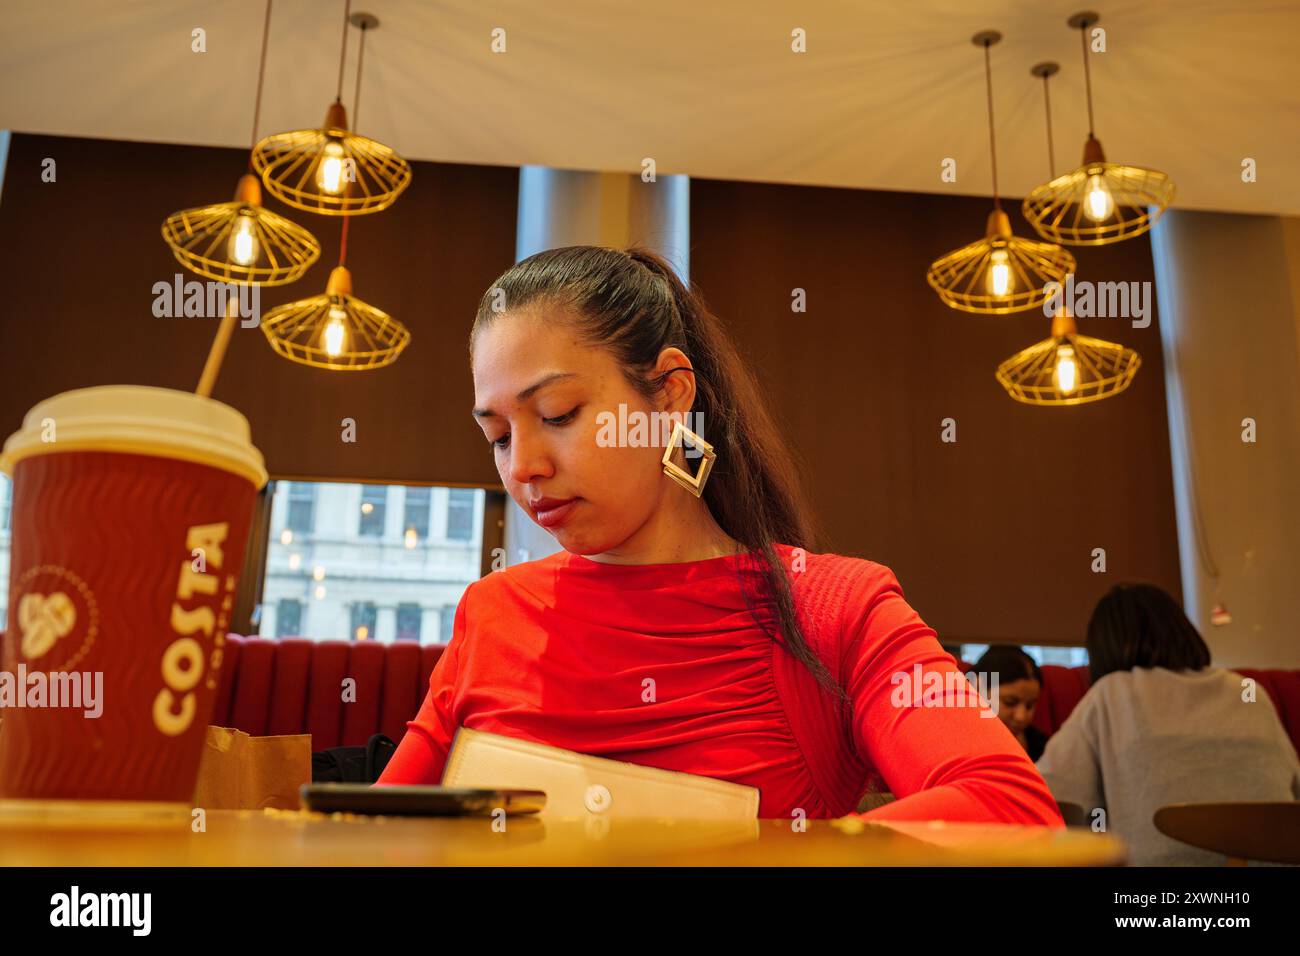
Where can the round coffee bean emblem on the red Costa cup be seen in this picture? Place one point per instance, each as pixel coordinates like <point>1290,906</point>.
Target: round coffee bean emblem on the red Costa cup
<point>57,617</point>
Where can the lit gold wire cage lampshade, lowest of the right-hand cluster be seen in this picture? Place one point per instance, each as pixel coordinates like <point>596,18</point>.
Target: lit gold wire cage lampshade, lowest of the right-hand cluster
<point>1068,369</point>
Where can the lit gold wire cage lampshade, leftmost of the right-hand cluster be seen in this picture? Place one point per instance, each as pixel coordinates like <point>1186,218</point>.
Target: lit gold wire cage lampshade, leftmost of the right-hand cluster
<point>999,274</point>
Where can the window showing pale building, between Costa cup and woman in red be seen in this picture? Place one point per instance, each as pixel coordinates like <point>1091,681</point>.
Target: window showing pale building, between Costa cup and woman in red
<point>348,573</point>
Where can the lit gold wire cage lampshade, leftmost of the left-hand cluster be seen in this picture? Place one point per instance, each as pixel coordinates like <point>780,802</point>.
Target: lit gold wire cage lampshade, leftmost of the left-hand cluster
<point>241,241</point>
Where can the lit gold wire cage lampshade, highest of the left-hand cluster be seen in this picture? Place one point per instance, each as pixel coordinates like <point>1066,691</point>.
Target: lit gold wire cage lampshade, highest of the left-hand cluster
<point>331,171</point>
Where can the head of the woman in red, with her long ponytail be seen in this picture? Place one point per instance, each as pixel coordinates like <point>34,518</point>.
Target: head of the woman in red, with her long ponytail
<point>600,328</point>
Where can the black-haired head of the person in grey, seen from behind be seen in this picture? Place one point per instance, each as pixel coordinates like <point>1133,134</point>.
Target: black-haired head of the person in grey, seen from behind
<point>1142,626</point>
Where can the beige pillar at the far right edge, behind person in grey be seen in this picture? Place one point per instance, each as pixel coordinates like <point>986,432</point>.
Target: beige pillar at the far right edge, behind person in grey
<point>1229,289</point>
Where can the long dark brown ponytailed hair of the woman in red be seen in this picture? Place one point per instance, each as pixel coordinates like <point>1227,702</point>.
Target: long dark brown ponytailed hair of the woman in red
<point>635,305</point>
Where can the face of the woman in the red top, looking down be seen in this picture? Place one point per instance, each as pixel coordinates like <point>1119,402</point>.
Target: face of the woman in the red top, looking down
<point>539,392</point>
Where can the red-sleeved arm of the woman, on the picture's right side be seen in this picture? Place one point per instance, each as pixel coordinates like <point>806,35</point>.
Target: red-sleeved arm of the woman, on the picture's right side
<point>941,751</point>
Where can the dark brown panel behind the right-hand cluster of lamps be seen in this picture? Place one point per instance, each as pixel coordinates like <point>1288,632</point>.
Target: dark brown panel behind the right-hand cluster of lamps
<point>991,537</point>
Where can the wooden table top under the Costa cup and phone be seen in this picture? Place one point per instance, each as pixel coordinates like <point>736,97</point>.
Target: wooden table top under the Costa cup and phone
<point>283,838</point>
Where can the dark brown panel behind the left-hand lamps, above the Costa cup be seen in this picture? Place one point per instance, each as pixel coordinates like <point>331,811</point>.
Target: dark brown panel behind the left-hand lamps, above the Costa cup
<point>80,258</point>
